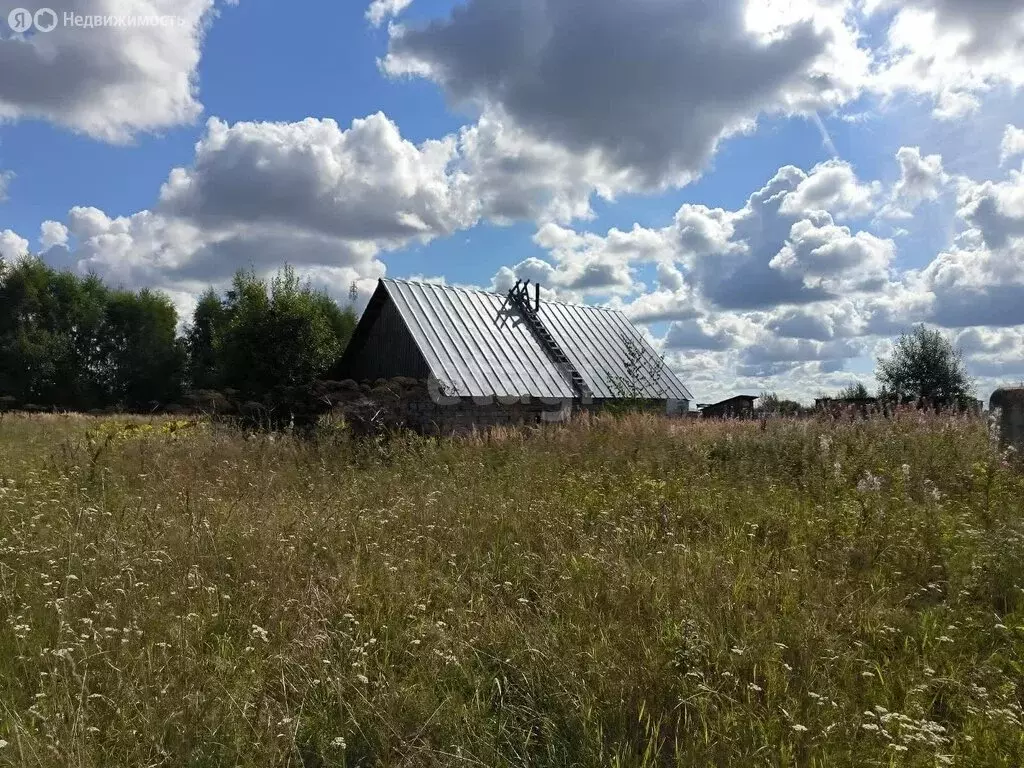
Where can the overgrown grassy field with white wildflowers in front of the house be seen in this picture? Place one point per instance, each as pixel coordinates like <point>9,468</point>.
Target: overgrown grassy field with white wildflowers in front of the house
<point>615,593</point>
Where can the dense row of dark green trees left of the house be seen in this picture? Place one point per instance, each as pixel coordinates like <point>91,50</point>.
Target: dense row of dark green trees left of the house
<point>71,343</point>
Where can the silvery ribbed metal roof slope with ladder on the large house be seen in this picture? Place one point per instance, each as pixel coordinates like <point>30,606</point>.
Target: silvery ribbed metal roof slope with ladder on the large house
<point>480,346</point>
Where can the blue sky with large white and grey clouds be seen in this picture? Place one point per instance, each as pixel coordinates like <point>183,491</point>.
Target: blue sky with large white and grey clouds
<point>773,190</point>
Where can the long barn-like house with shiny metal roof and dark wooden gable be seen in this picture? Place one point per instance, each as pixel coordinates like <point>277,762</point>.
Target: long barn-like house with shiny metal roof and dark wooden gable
<point>491,359</point>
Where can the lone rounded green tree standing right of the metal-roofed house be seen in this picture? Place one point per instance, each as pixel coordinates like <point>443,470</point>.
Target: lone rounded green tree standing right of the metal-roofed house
<point>925,366</point>
